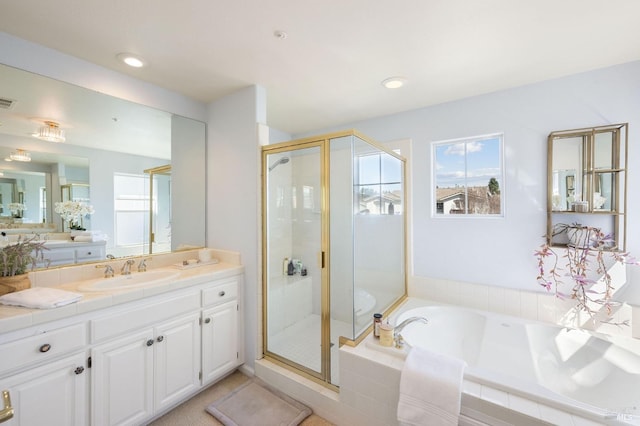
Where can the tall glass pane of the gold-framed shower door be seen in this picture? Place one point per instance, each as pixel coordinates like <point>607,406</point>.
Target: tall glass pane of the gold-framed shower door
<point>293,253</point>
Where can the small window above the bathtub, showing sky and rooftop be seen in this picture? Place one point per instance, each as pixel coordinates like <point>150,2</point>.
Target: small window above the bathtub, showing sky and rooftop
<point>468,176</point>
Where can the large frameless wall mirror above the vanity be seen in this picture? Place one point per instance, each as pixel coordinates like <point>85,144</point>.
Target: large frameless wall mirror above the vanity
<point>109,144</point>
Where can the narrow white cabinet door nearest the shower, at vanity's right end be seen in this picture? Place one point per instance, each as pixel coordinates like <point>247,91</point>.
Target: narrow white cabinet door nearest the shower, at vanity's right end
<point>219,341</point>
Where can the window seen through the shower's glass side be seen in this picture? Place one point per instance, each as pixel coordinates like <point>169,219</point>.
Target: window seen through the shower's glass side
<point>379,184</point>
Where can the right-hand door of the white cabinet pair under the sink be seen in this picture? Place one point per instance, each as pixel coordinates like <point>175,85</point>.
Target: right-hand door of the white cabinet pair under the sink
<point>177,359</point>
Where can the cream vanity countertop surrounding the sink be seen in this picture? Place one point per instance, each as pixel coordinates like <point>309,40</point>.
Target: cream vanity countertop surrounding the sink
<point>14,318</point>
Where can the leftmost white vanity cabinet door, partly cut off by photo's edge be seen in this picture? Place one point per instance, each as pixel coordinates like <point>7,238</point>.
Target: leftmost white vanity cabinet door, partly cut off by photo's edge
<point>54,394</point>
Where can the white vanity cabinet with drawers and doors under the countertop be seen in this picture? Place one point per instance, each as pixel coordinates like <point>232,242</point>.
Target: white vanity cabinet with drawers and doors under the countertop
<point>127,363</point>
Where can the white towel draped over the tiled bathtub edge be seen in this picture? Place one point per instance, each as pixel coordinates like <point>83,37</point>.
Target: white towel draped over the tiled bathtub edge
<point>430,389</point>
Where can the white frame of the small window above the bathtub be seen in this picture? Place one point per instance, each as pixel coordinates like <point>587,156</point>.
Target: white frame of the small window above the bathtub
<point>500,177</point>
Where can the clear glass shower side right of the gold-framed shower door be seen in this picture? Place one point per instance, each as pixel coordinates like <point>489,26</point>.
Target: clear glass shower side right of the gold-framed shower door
<point>367,234</point>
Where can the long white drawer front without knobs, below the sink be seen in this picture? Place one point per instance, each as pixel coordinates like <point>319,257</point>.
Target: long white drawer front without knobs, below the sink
<point>133,319</point>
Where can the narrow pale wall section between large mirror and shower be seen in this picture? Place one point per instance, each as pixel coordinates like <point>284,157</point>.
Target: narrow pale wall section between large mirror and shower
<point>233,193</point>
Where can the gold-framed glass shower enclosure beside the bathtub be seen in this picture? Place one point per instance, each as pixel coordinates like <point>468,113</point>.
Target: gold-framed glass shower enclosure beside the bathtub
<point>333,246</point>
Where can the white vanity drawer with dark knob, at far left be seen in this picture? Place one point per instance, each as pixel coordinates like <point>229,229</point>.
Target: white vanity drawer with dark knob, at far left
<point>43,347</point>
